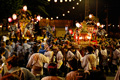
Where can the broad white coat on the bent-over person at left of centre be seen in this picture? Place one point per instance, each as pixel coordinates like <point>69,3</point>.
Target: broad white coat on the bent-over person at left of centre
<point>37,59</point>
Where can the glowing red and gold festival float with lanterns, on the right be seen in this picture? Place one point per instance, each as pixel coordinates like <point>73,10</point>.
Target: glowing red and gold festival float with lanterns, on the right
<point>86,31</point>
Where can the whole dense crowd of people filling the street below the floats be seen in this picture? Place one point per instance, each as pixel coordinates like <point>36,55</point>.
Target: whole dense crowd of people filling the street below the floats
<point>58,57</point>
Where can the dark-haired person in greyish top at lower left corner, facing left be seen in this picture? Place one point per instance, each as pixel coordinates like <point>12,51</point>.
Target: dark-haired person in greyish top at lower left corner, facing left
<point>13,67</point>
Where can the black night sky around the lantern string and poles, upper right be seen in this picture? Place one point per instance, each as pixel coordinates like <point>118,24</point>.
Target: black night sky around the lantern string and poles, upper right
<point>110,7</point>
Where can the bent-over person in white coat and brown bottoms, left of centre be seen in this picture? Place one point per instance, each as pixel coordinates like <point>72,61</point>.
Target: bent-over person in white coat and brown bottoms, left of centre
<point>36,63</point>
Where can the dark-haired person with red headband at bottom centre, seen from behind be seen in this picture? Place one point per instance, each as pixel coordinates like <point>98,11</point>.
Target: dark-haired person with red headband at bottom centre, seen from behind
<point>52,69</point>
